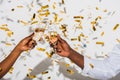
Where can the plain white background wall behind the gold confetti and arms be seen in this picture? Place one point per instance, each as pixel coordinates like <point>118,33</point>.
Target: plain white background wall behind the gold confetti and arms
<point>38,61</point>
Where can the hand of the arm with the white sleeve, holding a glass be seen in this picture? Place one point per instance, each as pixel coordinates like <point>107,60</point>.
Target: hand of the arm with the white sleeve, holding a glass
<point>62,48</point>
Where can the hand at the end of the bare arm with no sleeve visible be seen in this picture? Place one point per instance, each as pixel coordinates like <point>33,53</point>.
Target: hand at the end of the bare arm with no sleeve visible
<point>26,44</point>
